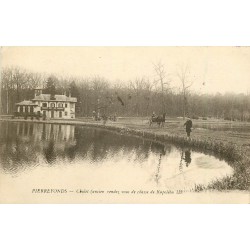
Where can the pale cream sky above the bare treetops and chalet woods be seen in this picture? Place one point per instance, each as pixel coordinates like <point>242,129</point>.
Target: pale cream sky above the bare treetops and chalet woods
<point>213,69</point>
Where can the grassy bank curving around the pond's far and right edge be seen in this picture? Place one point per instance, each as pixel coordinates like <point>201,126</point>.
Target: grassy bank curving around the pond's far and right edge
<point>231,146</point>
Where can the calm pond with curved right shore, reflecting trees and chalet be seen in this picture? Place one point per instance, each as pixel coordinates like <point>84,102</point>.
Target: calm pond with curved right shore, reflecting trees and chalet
<point>35,153</point>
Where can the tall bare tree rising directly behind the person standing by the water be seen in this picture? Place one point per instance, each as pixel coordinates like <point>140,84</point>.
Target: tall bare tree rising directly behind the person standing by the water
<point>183,74</point>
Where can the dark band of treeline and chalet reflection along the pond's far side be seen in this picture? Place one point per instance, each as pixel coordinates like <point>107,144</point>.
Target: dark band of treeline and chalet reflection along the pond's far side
<point>25,144</point>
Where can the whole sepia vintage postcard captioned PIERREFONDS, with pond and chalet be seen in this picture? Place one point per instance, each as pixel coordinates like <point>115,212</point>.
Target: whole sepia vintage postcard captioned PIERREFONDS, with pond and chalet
<point>124,124</point>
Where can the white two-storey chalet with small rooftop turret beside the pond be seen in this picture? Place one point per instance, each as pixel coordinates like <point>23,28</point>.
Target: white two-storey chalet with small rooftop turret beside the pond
<point>47,105</point>
